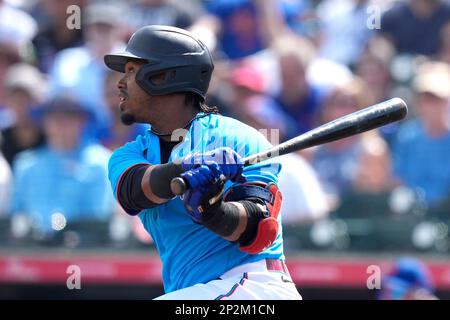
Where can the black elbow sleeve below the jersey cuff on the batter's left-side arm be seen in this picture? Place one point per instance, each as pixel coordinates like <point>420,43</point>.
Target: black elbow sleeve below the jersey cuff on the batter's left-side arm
<point>130,194</point>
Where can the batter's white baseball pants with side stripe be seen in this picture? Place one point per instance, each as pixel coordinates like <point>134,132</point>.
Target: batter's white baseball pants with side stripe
<point>250,281</point>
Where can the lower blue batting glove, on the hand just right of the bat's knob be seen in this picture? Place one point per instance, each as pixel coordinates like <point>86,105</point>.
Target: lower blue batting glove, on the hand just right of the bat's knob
<point>206,183</point>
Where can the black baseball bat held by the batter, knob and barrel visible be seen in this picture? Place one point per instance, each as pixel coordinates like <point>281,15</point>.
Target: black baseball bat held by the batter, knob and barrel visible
<point>357,122</point>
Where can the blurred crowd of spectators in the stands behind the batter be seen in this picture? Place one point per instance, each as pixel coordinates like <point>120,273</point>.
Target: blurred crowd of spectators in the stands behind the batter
<point>281,66</point>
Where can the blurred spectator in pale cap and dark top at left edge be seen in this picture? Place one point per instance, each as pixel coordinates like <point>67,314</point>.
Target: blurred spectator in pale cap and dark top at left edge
<point>25,89</point>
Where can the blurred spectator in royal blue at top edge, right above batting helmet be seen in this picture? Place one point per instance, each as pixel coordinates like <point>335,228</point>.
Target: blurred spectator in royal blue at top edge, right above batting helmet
<point>240,28</point>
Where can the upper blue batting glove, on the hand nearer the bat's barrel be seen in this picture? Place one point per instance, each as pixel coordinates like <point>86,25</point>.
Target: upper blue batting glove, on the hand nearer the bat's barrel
<point>229,162</point>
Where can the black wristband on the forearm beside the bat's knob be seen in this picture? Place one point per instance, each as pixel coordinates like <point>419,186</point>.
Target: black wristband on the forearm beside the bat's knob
<point>160,179</point>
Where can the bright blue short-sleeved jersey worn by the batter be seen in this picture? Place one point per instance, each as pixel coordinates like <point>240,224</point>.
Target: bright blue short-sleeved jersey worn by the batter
<point>190,253</point>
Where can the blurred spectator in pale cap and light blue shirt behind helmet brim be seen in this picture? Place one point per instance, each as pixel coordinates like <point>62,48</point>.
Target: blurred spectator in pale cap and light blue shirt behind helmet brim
<point>80,72</point>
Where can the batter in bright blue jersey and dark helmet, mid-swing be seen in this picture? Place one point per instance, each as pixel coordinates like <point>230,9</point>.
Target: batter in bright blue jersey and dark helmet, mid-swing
<point>222,239</point>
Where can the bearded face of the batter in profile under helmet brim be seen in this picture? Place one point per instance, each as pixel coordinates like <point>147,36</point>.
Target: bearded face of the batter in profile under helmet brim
<point>134,101</point>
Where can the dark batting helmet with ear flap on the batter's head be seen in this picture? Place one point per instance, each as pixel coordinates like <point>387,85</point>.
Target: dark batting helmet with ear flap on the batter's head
<point>185,60</point>
